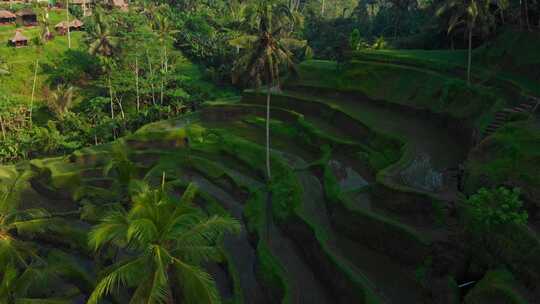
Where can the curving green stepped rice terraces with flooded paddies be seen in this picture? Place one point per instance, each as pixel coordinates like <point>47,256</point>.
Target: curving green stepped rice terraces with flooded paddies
<point>335,224</point>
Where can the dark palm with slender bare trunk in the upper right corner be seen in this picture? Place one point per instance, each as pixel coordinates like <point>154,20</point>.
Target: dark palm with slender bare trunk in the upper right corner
<point>471,13</point>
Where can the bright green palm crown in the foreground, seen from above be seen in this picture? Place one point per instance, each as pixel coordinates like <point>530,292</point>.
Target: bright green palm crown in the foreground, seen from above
<point>165,242</point>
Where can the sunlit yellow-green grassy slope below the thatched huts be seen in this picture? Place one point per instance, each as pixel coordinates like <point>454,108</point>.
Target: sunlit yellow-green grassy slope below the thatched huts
<point>21,61</point>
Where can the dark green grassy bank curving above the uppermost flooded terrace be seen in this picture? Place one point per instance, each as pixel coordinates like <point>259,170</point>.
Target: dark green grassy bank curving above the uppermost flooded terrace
<point>409,86</point>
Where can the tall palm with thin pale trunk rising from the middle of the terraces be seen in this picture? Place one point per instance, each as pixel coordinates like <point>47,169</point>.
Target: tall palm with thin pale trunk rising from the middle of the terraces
<point>265,51</point>
